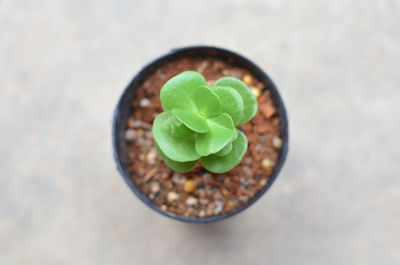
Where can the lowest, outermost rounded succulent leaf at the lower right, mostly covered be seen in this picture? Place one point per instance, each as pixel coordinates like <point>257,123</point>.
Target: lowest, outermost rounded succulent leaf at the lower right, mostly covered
<point>223,164</point>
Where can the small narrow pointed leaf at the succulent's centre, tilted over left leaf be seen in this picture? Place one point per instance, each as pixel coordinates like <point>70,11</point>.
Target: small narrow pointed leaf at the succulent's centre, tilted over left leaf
<point>192,119</point>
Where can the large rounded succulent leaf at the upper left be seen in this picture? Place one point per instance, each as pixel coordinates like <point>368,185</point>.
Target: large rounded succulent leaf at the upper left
<point>179,91</point>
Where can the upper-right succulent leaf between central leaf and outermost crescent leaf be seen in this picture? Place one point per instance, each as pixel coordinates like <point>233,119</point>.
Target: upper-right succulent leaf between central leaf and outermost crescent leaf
<point>232,102</point>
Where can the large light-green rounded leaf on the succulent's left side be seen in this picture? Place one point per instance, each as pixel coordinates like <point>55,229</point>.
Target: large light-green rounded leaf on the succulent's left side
<point>177,149</point>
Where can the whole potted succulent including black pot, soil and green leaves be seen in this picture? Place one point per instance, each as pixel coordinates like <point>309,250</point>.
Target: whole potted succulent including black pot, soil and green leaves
<point>200,134</point>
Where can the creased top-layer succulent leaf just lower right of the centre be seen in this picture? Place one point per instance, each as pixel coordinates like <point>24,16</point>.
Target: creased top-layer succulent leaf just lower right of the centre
<point>221,132</point>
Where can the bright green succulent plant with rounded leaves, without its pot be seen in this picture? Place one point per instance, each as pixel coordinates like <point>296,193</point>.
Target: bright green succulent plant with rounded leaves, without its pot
<point>199,122</point>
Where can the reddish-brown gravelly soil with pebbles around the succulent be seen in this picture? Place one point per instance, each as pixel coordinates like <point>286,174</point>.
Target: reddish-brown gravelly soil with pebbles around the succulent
<point>200,193</point>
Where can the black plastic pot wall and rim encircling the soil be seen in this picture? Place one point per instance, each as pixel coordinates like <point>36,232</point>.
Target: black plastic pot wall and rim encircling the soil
<point>124,110</point>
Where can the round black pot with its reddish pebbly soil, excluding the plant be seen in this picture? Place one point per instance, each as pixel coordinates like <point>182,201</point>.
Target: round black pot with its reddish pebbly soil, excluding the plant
<point>198,196</point>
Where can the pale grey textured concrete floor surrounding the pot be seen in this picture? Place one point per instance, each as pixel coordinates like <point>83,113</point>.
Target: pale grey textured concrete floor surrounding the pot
<point>64,63</point>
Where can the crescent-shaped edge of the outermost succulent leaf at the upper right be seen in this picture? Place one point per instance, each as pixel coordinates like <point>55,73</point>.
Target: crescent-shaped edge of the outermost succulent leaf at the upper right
<point>249,100</point>
